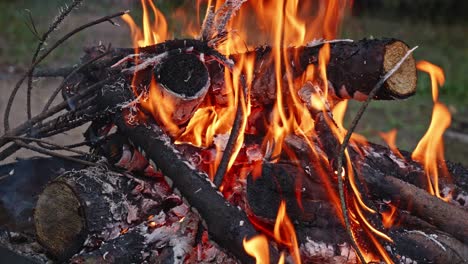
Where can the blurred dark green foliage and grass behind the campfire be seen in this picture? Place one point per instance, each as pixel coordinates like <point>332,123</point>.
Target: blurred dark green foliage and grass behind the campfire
<point>438,27</point>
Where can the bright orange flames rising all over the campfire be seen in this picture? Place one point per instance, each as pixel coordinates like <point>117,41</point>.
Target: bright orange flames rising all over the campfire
<point>283,23</point>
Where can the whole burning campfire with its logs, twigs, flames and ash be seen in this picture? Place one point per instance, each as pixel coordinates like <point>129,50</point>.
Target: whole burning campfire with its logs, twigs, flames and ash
<point>230,147</point>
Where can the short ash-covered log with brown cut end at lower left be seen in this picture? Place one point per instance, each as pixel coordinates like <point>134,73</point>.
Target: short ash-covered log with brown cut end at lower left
<point>93,205</point>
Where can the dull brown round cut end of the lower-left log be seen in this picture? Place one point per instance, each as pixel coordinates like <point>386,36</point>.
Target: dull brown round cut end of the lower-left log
<point>59,220</point>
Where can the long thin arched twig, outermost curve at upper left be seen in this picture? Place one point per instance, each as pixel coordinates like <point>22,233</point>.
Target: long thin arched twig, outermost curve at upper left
<point>41,58</point>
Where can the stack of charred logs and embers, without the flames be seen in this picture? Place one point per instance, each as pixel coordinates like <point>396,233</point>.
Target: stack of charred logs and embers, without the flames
<point>162,206</point>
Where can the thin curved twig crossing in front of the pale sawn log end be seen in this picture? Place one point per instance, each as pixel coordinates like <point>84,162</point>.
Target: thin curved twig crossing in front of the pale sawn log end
<point>344,144</point>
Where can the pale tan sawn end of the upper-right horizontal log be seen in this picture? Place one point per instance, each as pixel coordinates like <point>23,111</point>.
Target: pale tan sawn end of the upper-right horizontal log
<point>403,82</point>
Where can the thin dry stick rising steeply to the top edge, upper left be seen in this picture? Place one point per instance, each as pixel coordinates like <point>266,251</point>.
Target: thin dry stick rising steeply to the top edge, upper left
<point>58,20</point>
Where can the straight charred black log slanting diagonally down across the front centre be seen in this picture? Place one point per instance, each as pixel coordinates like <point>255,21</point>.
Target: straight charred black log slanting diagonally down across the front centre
<point>226,224</point>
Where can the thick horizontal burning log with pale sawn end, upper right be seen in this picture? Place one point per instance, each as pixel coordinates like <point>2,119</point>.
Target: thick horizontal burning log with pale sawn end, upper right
<point>353,70</point>
